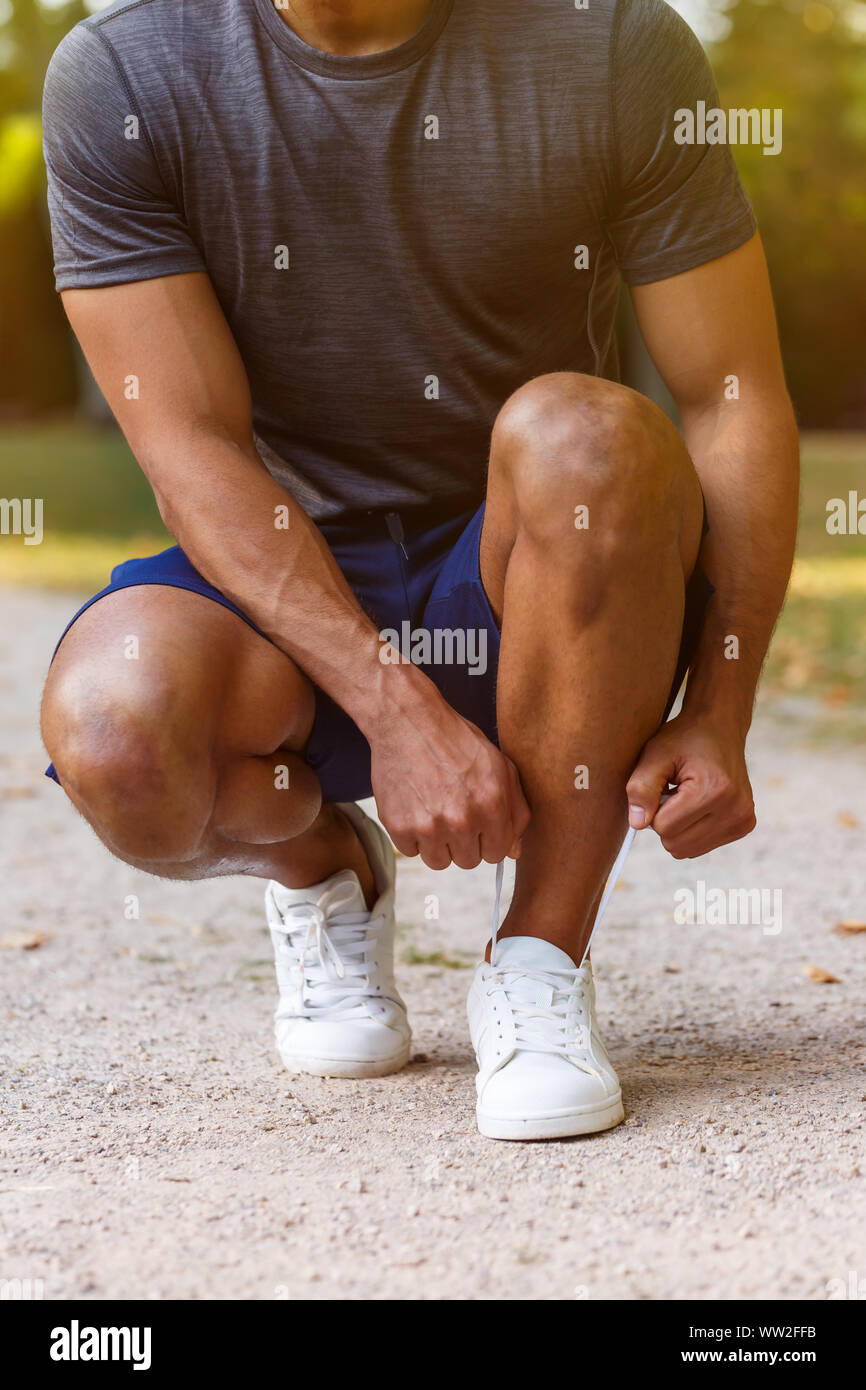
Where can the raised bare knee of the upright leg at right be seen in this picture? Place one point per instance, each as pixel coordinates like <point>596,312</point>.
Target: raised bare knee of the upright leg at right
<point>572,441</point>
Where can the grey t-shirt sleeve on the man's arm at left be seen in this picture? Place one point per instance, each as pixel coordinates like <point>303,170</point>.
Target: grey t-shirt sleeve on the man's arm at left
<point>112,218</point>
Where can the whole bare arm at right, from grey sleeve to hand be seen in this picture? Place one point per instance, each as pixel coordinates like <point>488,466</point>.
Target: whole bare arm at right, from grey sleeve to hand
<point>704,329</point>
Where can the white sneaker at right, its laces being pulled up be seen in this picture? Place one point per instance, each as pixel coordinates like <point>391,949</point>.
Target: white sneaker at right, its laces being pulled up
<point>543,1070</point>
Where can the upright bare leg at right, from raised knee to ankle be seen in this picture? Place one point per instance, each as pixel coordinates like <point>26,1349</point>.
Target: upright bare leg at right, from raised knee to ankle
<point>591,622</point>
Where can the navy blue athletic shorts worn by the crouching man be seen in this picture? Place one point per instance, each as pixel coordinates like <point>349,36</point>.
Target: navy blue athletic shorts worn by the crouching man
<point>423,583</point>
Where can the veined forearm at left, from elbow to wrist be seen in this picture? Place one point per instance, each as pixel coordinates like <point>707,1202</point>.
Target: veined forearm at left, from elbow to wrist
<point>250,539</point>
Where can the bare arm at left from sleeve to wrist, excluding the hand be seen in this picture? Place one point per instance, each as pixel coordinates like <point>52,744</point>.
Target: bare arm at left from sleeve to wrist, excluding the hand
<point>191,430</point>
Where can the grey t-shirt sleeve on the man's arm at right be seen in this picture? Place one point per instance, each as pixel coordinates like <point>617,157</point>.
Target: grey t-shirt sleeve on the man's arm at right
<point>673,206</point>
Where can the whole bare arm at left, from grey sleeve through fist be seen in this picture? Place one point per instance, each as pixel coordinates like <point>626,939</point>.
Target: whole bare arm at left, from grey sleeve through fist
<point>441,787</point>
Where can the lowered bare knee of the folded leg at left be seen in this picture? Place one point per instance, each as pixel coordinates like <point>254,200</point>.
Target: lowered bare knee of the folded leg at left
<point>145,785</point>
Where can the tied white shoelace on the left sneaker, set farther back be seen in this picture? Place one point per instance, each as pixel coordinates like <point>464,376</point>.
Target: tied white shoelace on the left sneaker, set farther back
<point>330,958</point>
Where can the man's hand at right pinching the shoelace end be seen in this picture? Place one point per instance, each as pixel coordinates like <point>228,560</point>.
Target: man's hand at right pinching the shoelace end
<point>712,804</point>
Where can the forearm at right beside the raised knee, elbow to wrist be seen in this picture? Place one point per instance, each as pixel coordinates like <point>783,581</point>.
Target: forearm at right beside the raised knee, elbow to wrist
<point>749,462</point>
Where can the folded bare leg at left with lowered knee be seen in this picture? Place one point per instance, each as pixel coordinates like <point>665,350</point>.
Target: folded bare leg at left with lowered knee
<point>176,757</point>
